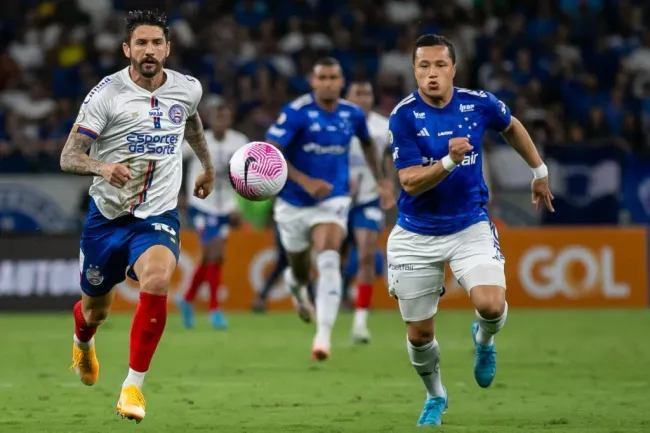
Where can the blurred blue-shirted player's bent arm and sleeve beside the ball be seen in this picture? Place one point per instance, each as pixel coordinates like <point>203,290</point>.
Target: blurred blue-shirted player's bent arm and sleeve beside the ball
<point>280,135</point>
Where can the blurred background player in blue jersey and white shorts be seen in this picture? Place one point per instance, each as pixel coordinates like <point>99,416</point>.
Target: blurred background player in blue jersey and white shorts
<point>314,134</point>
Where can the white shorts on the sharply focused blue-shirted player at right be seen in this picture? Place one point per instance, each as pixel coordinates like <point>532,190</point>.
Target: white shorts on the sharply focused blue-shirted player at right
<point>416,265</point>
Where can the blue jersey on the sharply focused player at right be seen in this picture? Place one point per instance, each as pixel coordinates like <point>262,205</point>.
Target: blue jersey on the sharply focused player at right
<point>420,134</point>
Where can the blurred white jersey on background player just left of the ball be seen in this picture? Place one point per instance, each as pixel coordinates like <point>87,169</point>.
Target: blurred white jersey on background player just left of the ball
<point>222,199</point>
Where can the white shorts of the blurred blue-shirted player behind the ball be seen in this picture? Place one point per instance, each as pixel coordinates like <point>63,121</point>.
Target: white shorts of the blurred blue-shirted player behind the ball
<point>295,223</point>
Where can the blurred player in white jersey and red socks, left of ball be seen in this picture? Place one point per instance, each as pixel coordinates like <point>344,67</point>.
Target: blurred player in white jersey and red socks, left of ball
<point>213,216</point>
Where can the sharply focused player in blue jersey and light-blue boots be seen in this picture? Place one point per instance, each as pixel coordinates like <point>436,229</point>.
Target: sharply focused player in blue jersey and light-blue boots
<point>435,136</point>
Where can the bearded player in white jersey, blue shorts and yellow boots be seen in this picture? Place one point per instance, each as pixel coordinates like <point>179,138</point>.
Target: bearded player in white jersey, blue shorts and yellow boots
<point>133,122</point>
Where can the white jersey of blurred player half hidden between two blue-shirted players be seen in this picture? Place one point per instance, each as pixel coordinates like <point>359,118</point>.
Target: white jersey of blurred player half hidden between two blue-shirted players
<point>359,171</point>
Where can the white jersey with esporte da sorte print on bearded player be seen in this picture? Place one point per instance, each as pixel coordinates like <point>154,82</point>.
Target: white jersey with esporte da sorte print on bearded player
<point>143,131</point>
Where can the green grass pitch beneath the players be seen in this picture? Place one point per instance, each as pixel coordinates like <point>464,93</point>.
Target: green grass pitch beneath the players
<point>558,371</point>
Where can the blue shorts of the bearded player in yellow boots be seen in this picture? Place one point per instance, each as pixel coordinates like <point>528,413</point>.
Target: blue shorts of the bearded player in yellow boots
<point>108,247</point>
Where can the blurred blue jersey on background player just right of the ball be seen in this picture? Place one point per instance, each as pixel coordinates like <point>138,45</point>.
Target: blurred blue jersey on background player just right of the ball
<point>316,142</point>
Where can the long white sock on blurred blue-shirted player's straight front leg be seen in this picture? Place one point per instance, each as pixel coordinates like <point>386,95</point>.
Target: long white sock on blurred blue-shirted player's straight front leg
<point>328,293</point>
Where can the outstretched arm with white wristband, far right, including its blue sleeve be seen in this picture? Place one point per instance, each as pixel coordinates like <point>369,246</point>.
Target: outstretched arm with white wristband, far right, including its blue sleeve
<point>518,138</point>
